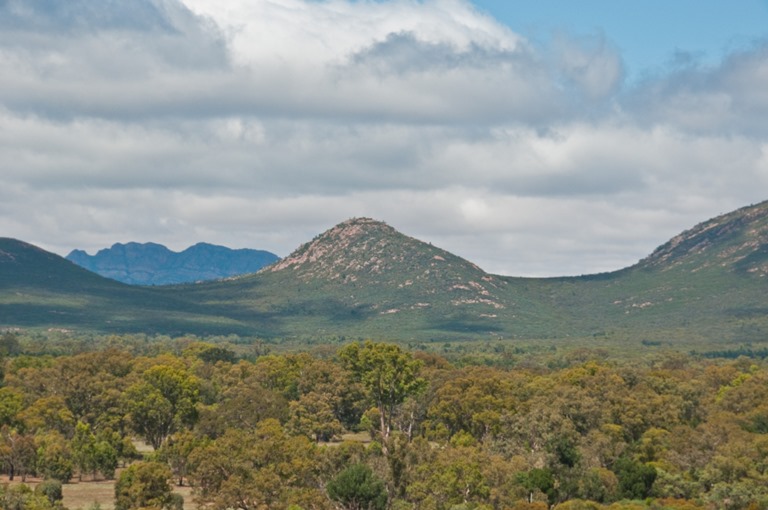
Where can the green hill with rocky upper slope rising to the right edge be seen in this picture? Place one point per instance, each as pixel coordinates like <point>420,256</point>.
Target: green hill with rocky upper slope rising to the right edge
<point>709,282</point>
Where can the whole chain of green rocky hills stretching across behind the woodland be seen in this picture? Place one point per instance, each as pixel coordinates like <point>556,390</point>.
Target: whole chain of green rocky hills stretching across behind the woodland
<point>362,278</point>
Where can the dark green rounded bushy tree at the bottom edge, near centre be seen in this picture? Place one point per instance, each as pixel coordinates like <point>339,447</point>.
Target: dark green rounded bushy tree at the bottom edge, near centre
<point>358,488</point>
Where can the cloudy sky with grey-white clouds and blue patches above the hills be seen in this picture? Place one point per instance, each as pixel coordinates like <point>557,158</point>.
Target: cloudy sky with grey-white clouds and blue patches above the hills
<point>555,137</point>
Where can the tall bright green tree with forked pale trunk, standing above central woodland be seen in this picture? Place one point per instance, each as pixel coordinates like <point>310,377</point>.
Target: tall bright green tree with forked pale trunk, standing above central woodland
<point>388,374</point>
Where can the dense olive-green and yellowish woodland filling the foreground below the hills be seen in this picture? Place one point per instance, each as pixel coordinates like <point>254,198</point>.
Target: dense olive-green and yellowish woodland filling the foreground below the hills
<point>366,425</point>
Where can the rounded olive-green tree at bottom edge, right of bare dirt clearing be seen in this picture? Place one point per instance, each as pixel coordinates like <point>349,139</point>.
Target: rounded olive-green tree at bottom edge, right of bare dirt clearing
<point>144,485</point>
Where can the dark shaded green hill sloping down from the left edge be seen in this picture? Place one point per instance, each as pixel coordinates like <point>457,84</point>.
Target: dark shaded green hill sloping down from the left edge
<point>39,289</point>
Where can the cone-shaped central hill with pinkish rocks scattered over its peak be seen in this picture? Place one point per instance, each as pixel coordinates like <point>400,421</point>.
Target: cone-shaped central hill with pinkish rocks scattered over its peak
<point>362,277</point>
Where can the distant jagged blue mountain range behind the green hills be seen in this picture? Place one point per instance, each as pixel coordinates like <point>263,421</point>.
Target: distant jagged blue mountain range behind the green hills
<point>154,264</point>
